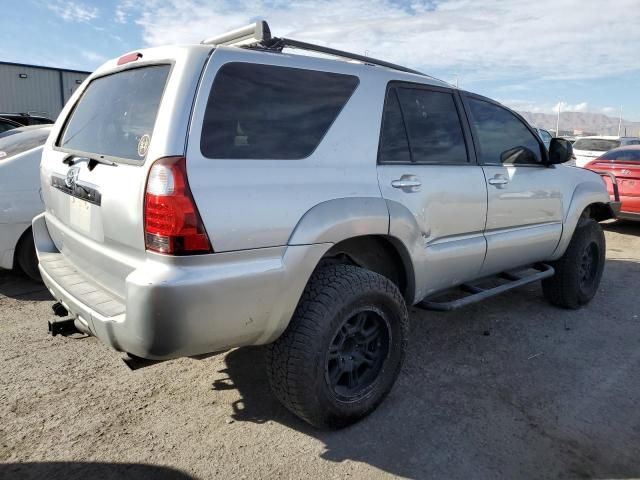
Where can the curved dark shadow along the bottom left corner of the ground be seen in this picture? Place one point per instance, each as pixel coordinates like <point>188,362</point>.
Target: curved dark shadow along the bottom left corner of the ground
<point>88,470</point>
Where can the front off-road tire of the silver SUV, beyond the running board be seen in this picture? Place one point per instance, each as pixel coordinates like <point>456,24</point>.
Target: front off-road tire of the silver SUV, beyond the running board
<point>567,288</point>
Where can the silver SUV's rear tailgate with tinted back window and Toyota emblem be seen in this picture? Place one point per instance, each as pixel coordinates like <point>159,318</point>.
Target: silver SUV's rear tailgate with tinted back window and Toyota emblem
<point>95,164</point>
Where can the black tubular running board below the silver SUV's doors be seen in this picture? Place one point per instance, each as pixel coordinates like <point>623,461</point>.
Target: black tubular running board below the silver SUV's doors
<point>478,293</point>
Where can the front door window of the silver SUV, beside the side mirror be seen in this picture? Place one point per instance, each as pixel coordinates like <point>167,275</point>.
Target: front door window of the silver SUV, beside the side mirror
<point>502,137</point>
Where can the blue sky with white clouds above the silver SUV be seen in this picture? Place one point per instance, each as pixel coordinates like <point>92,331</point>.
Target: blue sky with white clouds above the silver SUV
<point>533,55</point>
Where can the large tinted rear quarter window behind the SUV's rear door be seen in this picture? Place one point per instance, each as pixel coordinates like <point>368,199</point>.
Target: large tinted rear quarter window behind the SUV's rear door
<point>268,112</point>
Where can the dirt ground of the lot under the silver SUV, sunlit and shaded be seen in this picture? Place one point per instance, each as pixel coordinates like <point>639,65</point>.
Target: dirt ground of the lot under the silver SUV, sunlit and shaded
<point>508,388</point>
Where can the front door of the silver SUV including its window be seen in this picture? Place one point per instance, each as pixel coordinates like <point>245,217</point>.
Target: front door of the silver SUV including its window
<point>524,211</point>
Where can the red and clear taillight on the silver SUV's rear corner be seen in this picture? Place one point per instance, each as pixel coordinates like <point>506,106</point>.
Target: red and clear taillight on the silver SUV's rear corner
<point>172,224</point>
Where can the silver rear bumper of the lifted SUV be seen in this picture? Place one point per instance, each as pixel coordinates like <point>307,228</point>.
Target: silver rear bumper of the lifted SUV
<point>183,306</point>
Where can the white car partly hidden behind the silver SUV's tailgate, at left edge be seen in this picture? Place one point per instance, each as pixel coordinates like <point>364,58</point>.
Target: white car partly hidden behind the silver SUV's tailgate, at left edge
<point>20,201</point>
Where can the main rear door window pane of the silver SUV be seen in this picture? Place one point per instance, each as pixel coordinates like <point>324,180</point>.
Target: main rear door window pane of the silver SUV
<point>433,126</point>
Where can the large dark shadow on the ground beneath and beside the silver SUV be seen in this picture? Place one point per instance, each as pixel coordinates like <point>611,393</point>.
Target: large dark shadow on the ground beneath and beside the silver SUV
<point>508,388</point>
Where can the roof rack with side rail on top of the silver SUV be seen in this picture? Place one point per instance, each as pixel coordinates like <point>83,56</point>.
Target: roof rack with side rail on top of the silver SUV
<point>258,35</point>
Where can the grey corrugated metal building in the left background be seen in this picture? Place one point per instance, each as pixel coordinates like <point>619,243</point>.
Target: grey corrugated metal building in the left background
<point>31,88</point>
